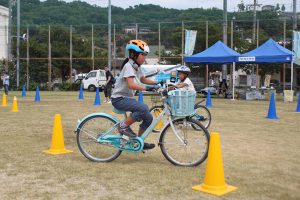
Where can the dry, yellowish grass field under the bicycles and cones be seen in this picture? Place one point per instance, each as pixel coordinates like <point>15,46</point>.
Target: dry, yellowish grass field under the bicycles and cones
<point>260,156</point>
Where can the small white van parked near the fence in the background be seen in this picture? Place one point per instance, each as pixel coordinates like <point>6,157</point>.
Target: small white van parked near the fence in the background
<point>95,78</point>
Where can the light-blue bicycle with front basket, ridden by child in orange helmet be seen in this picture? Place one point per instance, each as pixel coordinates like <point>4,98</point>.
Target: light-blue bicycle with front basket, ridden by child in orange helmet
<point>183,141</point>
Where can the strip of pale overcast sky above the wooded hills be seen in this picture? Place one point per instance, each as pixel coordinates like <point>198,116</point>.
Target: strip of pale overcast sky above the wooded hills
<point>181,4</point>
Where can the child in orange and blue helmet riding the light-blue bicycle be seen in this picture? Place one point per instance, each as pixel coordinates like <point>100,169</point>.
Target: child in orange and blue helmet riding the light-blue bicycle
<point>122,95</point>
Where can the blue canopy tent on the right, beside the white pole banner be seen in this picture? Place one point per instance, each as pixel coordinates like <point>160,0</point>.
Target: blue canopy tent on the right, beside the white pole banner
<point>268,52</point>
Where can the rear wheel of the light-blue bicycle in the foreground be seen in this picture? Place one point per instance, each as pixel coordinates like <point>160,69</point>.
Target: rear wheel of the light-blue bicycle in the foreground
<point>88,132</point>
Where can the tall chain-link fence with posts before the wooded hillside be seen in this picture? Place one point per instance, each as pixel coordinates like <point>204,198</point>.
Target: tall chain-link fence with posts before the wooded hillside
<point>54,52</point>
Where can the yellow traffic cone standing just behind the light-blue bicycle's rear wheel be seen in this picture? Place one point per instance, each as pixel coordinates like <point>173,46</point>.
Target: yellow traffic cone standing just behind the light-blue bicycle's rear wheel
<point>57,145</point>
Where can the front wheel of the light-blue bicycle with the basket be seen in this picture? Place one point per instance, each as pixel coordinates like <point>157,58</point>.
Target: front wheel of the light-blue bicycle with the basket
<point>192,147</point>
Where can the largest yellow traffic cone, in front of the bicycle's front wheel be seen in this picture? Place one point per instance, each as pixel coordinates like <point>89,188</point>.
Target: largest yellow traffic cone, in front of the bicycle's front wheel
<point>214,181</point>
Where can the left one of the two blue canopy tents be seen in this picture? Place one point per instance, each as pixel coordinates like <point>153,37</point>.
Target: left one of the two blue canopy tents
<point>218,53</point>
